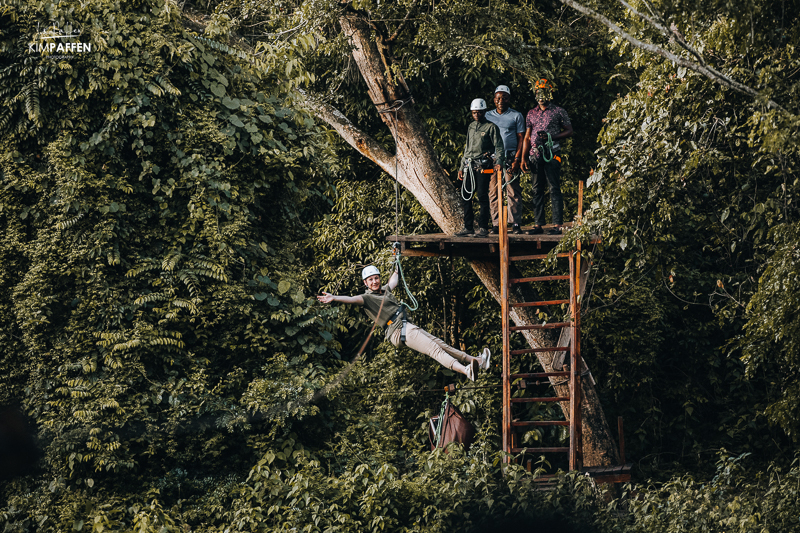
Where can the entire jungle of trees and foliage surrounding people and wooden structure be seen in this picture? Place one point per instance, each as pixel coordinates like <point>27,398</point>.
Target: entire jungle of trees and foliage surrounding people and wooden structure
<point>179,182</point>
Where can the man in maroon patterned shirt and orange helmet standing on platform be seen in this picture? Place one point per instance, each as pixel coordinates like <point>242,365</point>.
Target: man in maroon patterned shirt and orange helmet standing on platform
<point>544,154</point>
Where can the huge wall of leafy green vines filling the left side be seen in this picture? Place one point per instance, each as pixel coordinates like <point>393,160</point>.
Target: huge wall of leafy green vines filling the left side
<point>153,310</point>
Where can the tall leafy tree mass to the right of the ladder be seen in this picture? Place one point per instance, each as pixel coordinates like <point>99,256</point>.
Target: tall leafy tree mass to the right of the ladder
<point>694,190</point>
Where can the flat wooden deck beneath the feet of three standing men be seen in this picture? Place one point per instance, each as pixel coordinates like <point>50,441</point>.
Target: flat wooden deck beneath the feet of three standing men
<point>442,244</point>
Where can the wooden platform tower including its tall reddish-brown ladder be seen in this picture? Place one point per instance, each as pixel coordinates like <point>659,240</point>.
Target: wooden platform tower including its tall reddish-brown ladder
<point>533,248</point>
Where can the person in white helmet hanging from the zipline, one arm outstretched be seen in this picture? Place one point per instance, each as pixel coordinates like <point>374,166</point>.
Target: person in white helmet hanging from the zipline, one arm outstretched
<point>379,299</point>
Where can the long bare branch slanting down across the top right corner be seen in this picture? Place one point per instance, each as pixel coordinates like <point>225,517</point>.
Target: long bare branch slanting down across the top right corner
<point>703,69</point>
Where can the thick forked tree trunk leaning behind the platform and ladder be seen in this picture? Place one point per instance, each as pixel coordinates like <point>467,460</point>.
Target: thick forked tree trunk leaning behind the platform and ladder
<point>419,171</point>
